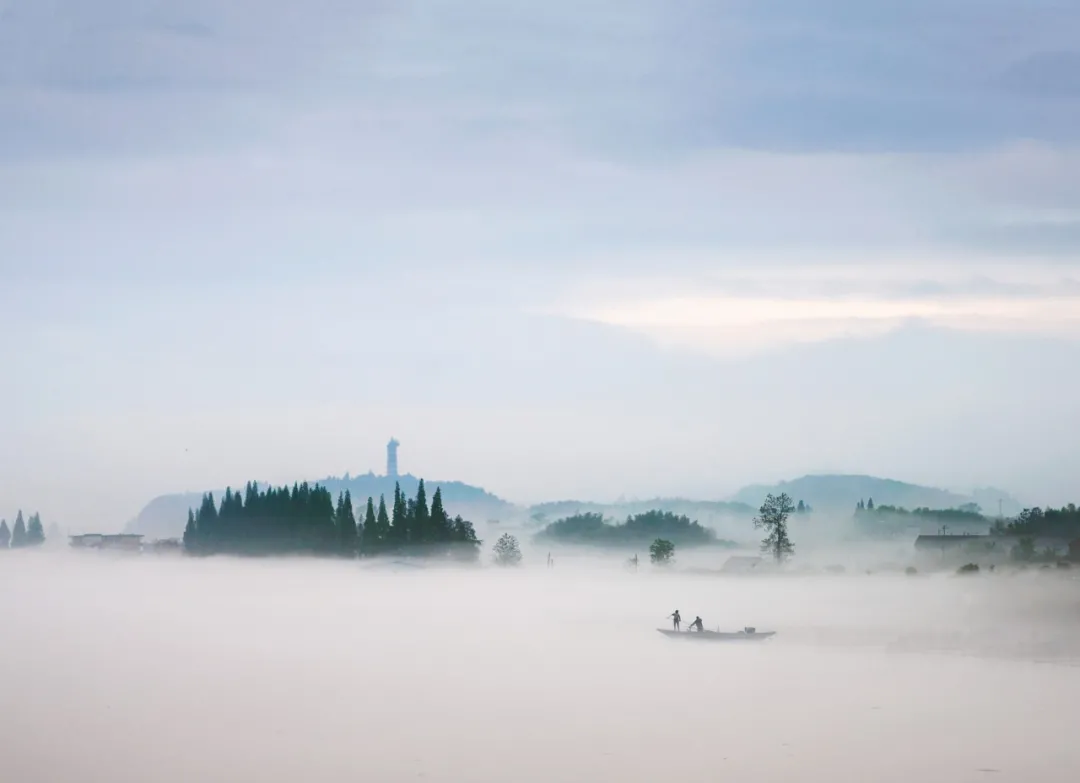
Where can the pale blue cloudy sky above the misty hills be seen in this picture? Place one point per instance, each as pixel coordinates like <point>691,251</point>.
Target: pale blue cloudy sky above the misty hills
<point>558,250</point>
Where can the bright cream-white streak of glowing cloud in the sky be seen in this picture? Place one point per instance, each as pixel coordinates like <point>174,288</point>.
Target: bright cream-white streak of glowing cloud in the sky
<point>744,316</point>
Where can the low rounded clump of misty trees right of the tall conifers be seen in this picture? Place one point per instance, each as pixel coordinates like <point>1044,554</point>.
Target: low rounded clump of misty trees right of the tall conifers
<point>642,530</point>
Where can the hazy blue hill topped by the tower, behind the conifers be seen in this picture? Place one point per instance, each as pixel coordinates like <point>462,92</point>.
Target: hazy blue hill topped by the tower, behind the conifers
<point>166,517</point>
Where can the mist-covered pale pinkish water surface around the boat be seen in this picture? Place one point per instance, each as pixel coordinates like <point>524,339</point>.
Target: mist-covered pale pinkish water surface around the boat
<point>146,670</point>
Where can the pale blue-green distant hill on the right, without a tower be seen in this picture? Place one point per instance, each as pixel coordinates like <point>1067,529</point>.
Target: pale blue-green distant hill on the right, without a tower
<point>841,493</point>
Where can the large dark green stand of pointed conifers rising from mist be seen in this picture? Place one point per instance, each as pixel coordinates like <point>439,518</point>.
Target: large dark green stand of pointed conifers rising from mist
<point>306,520</point>
